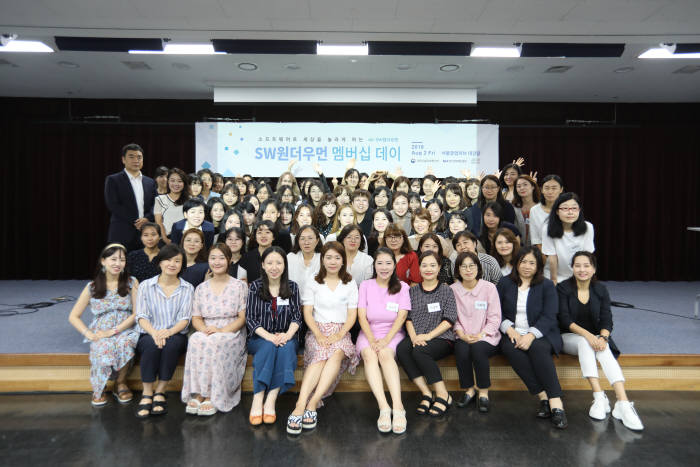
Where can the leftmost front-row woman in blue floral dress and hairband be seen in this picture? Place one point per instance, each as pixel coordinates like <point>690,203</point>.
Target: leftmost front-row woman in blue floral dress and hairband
<point>112,298</point>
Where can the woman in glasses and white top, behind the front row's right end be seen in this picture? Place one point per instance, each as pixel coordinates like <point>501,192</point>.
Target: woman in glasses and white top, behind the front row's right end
<point>567,232</point>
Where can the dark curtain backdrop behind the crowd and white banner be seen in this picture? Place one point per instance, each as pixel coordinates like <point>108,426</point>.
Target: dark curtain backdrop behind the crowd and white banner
<point>638,180</point>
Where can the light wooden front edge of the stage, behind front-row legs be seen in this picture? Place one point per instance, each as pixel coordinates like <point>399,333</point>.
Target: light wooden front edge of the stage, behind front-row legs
<point>71,372</point>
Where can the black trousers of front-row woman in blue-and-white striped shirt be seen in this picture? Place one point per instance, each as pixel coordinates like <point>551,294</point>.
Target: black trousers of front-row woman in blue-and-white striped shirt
<point>160,363</point>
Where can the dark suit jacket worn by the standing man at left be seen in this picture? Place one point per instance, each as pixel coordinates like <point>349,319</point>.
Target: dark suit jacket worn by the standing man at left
<point>121,202</point>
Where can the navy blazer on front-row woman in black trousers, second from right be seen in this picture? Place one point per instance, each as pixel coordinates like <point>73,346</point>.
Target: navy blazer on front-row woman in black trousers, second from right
<point>542,307</point>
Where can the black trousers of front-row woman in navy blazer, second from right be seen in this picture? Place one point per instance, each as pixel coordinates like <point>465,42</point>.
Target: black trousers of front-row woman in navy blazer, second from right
<point>534,366</point>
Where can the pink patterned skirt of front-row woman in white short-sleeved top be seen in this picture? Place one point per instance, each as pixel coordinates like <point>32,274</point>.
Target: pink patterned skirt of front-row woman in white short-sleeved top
<point>315,352</point>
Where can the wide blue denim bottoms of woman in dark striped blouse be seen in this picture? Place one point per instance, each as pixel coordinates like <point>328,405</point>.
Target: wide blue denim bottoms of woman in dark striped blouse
<point>273,367</point>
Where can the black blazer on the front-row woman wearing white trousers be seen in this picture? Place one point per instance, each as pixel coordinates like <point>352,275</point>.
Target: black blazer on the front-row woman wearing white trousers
<point>600,308</point>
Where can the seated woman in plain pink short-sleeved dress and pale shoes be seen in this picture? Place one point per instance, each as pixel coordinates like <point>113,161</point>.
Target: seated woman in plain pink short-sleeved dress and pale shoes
<point>382,309</point>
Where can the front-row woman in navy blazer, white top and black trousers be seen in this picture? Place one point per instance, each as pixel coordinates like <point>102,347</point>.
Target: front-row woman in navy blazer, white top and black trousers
<point>529,309</point>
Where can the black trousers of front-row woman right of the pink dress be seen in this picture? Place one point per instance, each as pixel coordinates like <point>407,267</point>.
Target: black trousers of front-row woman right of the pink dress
<point>422,360</point>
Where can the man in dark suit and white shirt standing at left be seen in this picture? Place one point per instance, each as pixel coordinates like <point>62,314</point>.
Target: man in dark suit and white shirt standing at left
<point>129,196</point>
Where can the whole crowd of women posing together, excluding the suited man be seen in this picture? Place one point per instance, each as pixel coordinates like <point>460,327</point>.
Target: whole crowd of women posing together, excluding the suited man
<point>382,269</point>
